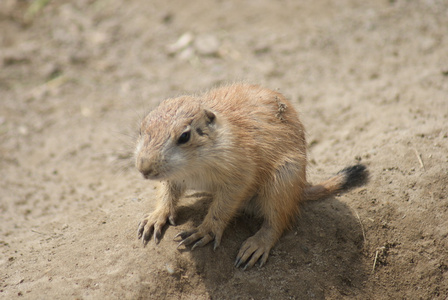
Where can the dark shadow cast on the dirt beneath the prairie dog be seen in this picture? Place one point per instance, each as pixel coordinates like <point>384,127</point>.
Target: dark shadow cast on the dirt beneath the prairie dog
<point>320,257</point>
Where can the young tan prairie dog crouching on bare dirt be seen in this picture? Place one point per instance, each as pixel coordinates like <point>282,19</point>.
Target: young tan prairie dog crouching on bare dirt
<point>246,146</point>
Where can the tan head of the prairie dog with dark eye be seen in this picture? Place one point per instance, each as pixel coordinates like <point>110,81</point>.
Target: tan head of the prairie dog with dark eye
<point>173,138</point>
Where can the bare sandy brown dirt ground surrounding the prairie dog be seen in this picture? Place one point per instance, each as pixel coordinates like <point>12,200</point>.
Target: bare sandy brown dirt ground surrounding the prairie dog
<point>370,79</point>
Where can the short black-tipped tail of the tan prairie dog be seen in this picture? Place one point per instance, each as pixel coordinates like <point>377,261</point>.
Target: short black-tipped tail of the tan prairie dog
<point>345,179</point>
